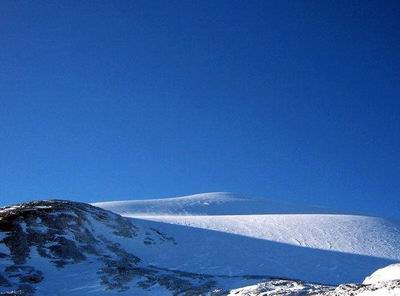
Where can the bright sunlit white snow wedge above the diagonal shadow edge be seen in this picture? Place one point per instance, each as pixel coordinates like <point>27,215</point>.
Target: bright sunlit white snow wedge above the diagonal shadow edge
<point>360,235</point>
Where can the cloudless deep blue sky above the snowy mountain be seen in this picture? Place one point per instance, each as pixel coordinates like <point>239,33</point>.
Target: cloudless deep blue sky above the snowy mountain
<point>291,100</point>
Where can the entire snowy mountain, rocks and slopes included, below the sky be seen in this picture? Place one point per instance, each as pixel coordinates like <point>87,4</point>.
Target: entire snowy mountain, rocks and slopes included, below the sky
<point>207,244</point>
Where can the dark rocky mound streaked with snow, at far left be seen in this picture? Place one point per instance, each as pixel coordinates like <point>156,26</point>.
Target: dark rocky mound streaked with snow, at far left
<point>63,233</point>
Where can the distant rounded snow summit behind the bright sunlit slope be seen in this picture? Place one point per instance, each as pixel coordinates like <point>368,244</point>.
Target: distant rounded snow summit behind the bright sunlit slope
<point>216,203</point>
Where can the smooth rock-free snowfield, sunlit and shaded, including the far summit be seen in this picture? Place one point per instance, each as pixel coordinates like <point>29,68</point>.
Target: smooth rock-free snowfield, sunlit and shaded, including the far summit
<point>222,233</point>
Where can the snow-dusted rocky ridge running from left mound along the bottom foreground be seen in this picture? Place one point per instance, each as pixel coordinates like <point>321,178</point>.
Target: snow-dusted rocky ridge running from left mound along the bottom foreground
<point>59,234</point>
